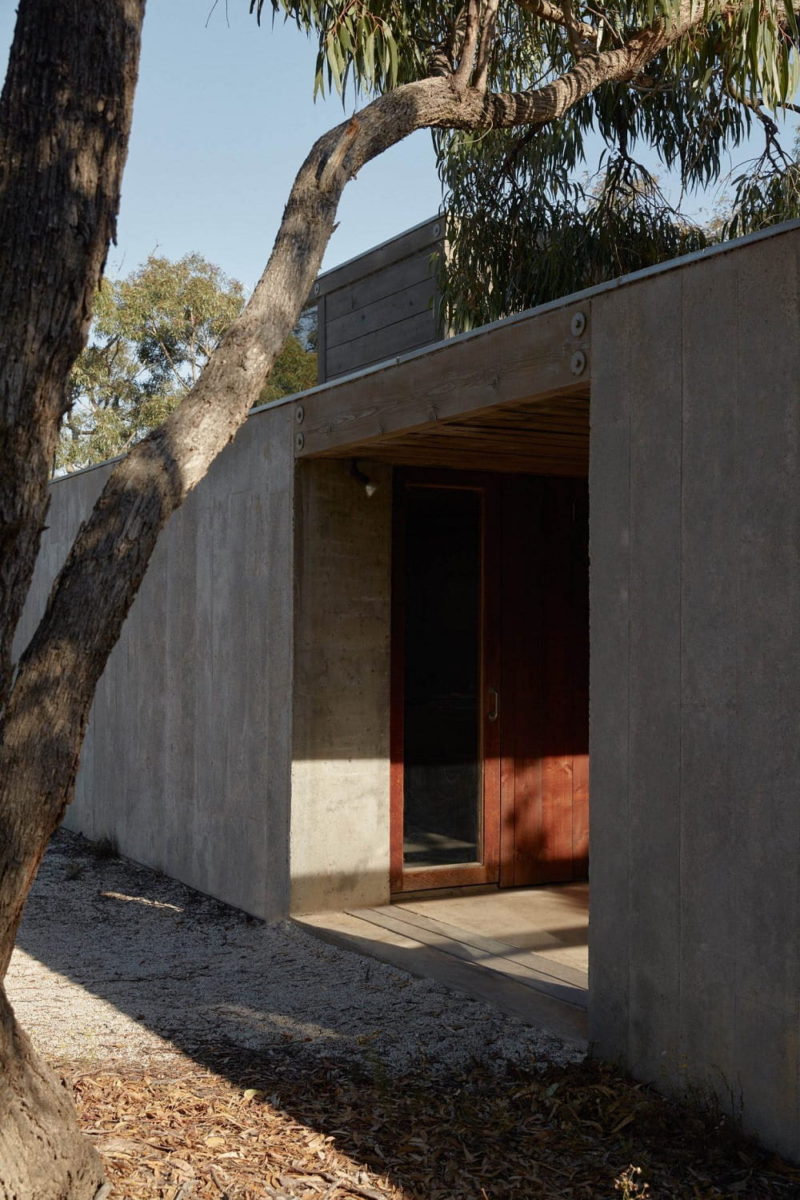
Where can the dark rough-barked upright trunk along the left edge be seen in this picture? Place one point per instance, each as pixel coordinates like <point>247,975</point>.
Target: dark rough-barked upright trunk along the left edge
<point>65,118</point>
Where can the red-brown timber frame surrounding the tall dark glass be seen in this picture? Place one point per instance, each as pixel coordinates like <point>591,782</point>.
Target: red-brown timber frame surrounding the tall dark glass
<point>423,879</point>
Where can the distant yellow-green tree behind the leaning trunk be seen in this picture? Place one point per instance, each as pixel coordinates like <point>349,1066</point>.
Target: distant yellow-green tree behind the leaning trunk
<point>153,333</point>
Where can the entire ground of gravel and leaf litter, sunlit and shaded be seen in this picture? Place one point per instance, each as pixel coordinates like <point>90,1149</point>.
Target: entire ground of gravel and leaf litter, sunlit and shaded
<point>201,1075</point>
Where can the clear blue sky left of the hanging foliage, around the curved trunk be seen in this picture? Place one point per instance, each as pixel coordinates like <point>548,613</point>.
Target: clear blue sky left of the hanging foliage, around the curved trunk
<point>224,118</point>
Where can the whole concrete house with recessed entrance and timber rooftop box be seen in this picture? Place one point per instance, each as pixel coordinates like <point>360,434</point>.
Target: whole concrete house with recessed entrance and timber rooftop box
<point>381,644</point>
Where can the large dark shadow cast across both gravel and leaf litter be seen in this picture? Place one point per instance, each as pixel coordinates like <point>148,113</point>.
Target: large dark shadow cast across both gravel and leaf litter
<point>412,1083</point>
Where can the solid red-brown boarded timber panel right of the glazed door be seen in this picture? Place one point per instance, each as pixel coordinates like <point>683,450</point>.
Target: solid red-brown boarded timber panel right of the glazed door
<point>545,669</point>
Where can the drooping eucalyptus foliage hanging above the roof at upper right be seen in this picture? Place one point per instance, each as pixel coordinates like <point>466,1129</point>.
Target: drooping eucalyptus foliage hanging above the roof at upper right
<point>536,213</point>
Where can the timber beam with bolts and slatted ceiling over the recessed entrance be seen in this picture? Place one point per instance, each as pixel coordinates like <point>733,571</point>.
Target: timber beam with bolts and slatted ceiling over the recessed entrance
<point>513,398</point>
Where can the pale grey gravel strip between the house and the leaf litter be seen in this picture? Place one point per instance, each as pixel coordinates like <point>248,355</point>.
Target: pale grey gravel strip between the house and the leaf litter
<point>116,962</point>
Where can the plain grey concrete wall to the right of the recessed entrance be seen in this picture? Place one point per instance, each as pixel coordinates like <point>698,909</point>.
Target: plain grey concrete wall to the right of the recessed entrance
<point>696,681</point>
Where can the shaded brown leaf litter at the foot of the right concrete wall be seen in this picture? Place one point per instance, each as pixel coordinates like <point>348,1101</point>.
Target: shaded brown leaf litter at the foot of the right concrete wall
<point>515,1135</point>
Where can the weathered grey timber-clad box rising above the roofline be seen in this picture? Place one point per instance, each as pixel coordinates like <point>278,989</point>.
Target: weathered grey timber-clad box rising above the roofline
<point>380,304</point>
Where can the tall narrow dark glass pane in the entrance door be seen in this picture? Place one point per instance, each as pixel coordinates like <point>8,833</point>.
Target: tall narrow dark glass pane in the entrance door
<point>443,777</point>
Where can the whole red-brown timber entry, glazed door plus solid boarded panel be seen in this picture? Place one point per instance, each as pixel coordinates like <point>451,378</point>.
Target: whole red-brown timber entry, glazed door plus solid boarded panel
<point>490,681</point>
